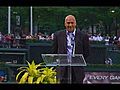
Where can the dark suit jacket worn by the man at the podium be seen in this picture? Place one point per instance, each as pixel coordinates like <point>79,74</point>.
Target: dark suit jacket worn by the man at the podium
<point>81,47</point>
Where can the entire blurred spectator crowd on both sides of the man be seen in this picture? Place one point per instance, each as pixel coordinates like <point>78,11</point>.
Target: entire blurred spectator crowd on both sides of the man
<point>17,40</point>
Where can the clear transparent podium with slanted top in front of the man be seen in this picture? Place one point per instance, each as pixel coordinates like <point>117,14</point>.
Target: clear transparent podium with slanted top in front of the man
<point>59,60</point>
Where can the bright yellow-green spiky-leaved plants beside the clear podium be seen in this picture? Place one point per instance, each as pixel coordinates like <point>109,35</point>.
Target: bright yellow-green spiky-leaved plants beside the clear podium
<point>34,74</point>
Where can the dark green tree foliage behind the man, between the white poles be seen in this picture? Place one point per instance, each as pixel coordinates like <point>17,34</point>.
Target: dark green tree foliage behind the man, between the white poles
<point>53,17</point>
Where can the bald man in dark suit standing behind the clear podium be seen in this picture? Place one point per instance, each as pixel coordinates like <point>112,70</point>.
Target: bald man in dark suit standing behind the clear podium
<point>63,44</point>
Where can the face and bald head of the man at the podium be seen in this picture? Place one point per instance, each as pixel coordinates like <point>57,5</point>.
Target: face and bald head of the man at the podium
<point>70,23</point>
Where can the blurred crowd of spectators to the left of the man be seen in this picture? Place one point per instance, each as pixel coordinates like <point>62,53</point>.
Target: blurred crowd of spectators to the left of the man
<point>17,40</point>
